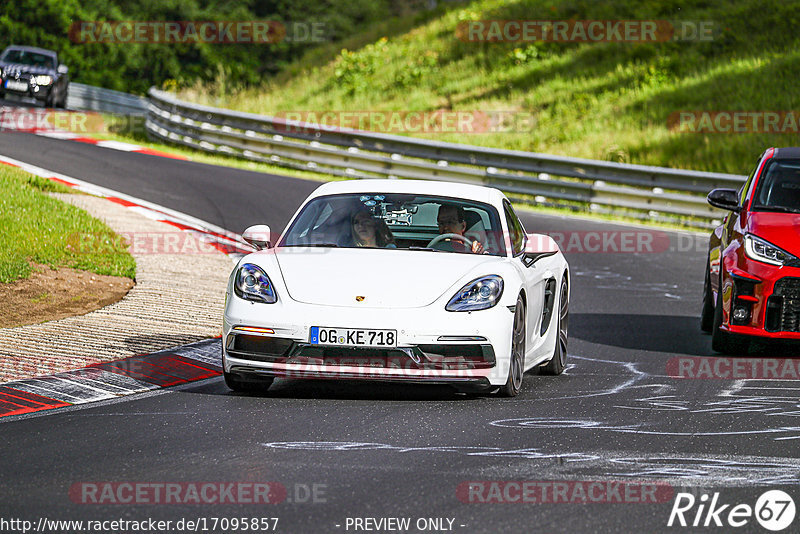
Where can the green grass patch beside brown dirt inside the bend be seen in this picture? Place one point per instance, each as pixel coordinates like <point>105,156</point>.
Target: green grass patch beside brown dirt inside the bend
<point>40,229</point>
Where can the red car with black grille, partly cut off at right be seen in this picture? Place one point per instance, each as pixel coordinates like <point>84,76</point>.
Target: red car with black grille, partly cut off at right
<point>752,287</point>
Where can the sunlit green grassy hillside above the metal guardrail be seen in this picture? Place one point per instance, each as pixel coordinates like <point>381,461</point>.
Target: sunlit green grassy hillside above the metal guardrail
<point>600,100</point>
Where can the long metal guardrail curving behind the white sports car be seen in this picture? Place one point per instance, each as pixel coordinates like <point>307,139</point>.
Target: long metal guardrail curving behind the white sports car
<point>655,193</point>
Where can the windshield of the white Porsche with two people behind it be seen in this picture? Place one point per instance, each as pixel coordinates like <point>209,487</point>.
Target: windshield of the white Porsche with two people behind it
<point>397,221</point>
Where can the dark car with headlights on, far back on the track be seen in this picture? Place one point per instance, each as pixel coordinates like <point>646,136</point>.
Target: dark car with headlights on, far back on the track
<point>34,73</point>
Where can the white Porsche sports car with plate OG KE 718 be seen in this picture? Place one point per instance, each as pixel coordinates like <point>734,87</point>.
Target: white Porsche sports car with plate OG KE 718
<point>395,280</point>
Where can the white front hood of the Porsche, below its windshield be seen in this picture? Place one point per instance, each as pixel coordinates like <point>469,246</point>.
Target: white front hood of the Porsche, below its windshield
<point>386,278</point>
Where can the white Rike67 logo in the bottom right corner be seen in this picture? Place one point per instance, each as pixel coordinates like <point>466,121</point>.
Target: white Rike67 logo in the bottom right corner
<point>774,510</point>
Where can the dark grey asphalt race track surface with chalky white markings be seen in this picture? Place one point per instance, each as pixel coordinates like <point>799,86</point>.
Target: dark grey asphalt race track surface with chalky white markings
<point>348,451</point>
